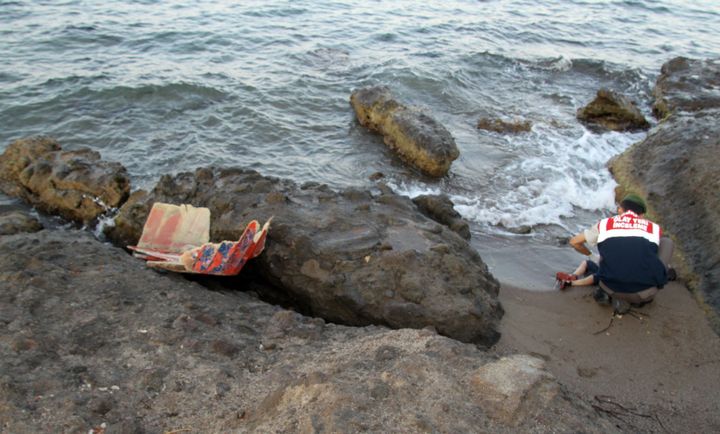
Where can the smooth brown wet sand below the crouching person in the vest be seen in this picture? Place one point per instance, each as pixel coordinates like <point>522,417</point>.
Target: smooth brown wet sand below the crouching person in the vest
<point>656,369</point>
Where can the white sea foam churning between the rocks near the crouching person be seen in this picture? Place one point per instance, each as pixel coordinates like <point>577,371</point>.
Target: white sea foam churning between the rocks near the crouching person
<point>547,186</point>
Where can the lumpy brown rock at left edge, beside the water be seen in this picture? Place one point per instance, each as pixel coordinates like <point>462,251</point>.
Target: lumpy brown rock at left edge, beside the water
<point>76,185</point>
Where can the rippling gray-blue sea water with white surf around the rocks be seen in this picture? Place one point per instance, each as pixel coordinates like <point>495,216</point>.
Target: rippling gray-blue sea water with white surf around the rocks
<point>169,86</point>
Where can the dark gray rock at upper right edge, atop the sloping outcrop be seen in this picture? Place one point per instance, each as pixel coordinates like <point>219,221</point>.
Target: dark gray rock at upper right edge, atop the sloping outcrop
<point>687,85</point>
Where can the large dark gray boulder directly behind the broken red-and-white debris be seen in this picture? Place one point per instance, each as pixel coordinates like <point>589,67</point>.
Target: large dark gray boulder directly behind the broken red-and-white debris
<point>350,257</point>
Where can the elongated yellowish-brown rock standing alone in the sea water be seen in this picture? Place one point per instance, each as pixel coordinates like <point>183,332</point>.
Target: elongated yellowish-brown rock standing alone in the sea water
<point>417,138</point>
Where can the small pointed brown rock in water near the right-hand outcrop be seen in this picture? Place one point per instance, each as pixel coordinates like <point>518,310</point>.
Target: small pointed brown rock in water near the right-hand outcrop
<point>613,111</point>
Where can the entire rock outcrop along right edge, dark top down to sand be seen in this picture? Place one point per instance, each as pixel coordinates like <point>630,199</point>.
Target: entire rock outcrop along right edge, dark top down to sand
<point>676,168</point>
